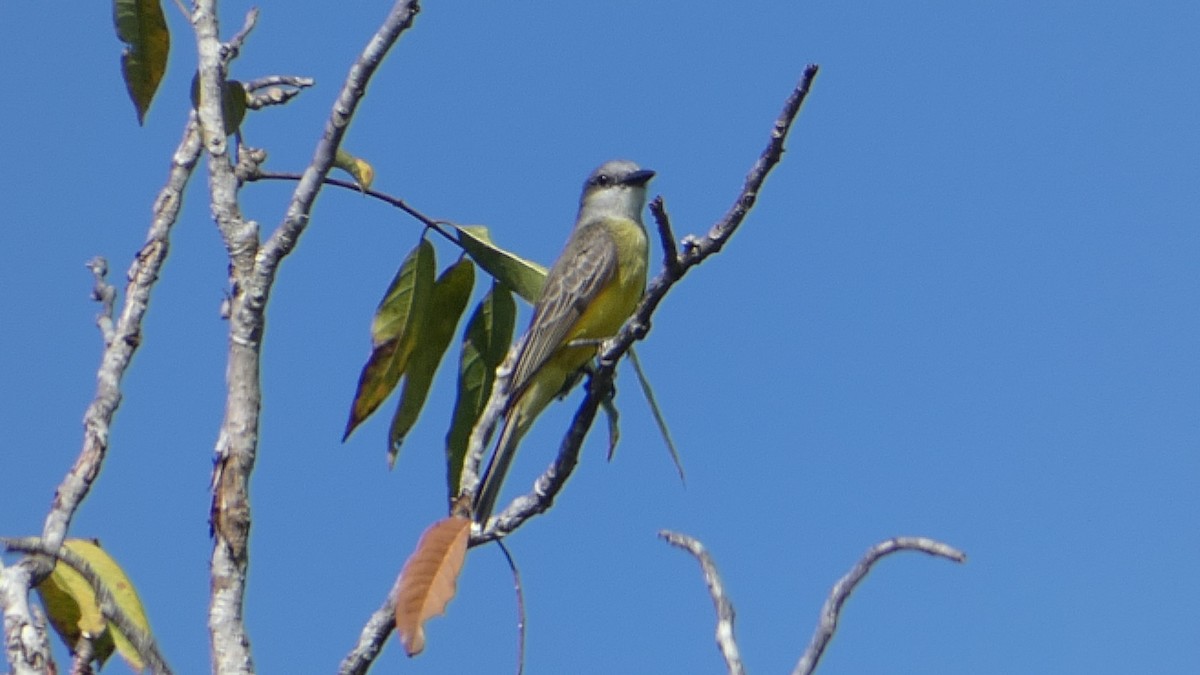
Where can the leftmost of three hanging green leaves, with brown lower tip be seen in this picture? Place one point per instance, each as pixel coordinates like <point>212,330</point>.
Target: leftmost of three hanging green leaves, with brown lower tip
<point>394,333</point>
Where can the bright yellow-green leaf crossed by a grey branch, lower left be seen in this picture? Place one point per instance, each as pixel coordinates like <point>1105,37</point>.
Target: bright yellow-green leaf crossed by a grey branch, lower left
<point>73,608</point>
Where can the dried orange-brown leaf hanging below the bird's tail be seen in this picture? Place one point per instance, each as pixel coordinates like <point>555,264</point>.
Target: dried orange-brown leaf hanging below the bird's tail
<point>430,580</point>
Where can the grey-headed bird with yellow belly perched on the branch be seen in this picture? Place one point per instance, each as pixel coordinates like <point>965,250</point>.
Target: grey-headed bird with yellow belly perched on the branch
<point>592,289</point>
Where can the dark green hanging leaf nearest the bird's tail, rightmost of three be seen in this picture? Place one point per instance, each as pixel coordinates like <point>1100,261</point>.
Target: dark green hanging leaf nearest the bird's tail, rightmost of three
<point>484,347</point>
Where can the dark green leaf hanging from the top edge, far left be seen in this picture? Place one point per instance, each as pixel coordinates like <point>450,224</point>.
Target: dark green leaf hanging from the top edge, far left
<point>142,27</point>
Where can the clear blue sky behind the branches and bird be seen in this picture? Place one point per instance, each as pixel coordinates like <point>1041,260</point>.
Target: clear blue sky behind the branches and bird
<point>965,308</point>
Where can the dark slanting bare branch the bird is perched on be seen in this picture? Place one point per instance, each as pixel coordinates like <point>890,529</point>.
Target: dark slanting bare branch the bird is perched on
<point>695,252</point>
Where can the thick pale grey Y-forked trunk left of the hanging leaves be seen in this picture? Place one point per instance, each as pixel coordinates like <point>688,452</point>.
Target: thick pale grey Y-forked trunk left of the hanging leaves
<point>253,276</point>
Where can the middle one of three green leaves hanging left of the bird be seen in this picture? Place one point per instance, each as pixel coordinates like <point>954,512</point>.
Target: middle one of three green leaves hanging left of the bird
<point>447,304</point>
